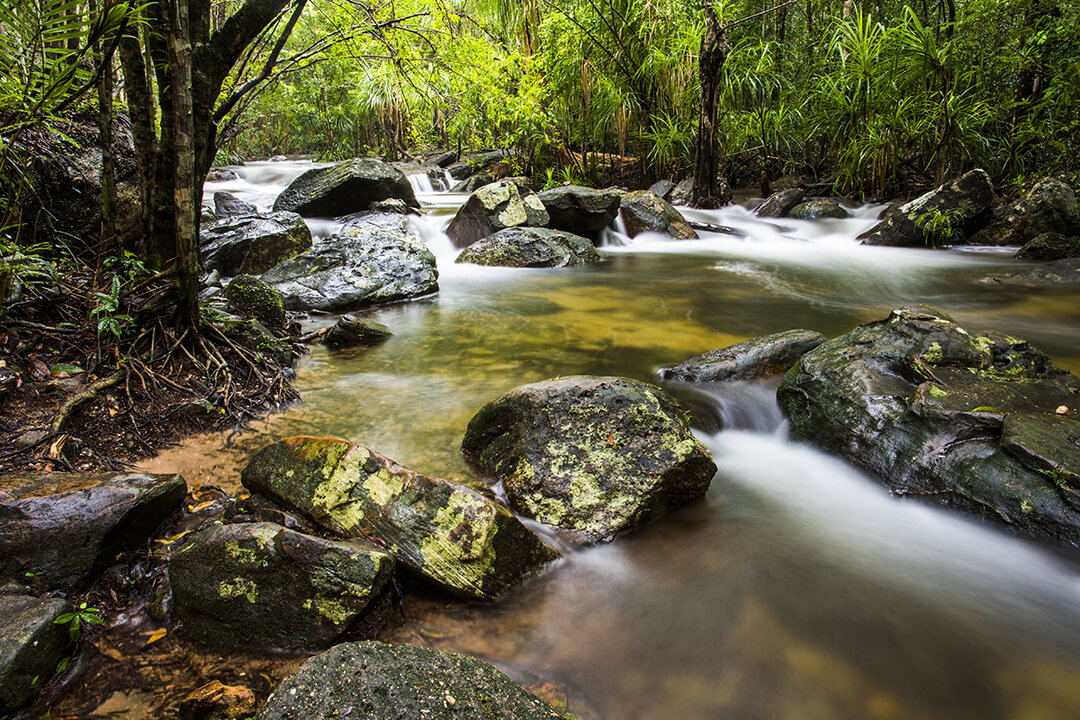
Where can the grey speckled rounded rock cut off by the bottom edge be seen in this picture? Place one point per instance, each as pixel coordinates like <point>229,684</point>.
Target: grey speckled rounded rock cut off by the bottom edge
<point>377,682</point>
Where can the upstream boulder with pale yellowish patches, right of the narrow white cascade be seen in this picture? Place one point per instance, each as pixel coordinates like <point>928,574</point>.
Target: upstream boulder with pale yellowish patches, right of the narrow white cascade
<point>494,208</point>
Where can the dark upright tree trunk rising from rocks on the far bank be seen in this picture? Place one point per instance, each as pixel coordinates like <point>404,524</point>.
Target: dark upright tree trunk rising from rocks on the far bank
<point>714,52</point>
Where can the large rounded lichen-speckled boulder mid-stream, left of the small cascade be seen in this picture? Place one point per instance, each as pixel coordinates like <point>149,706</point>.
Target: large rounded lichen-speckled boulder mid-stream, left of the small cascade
<point>592,455</point>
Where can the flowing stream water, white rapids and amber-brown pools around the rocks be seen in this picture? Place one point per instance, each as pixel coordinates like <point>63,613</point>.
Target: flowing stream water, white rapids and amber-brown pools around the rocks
<point>798,589</point>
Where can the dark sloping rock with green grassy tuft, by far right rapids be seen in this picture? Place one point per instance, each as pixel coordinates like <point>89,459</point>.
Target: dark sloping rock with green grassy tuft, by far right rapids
<point>963,205</point>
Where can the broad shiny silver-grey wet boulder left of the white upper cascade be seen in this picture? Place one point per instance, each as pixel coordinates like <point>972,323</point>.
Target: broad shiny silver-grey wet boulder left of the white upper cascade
<point>371,262</point>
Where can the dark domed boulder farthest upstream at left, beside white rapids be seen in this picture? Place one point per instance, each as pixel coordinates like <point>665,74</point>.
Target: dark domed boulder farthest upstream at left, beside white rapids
<point>347,187</point>
